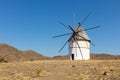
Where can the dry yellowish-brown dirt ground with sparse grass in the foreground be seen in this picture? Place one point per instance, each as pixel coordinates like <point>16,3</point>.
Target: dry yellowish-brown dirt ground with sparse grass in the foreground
<point>61,70</point>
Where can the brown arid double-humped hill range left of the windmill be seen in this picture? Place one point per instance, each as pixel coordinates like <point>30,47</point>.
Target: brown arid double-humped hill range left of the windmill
<point>9,53</point>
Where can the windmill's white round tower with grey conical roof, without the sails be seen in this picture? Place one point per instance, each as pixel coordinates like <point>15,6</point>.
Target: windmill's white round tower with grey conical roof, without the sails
<point>79,45</point>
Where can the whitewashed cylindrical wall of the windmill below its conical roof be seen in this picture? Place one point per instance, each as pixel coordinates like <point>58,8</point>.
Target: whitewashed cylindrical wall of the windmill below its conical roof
<point>84,50</point>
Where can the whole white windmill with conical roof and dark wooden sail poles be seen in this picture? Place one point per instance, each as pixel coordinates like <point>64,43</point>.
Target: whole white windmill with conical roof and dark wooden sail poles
<point>79,42</point>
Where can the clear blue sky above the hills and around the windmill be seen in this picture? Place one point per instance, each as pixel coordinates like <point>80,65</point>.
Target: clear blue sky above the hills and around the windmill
<point>30,24</point>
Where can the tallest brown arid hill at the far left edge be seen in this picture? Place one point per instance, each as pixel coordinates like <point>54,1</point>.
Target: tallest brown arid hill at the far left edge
<point>9,53</point>
